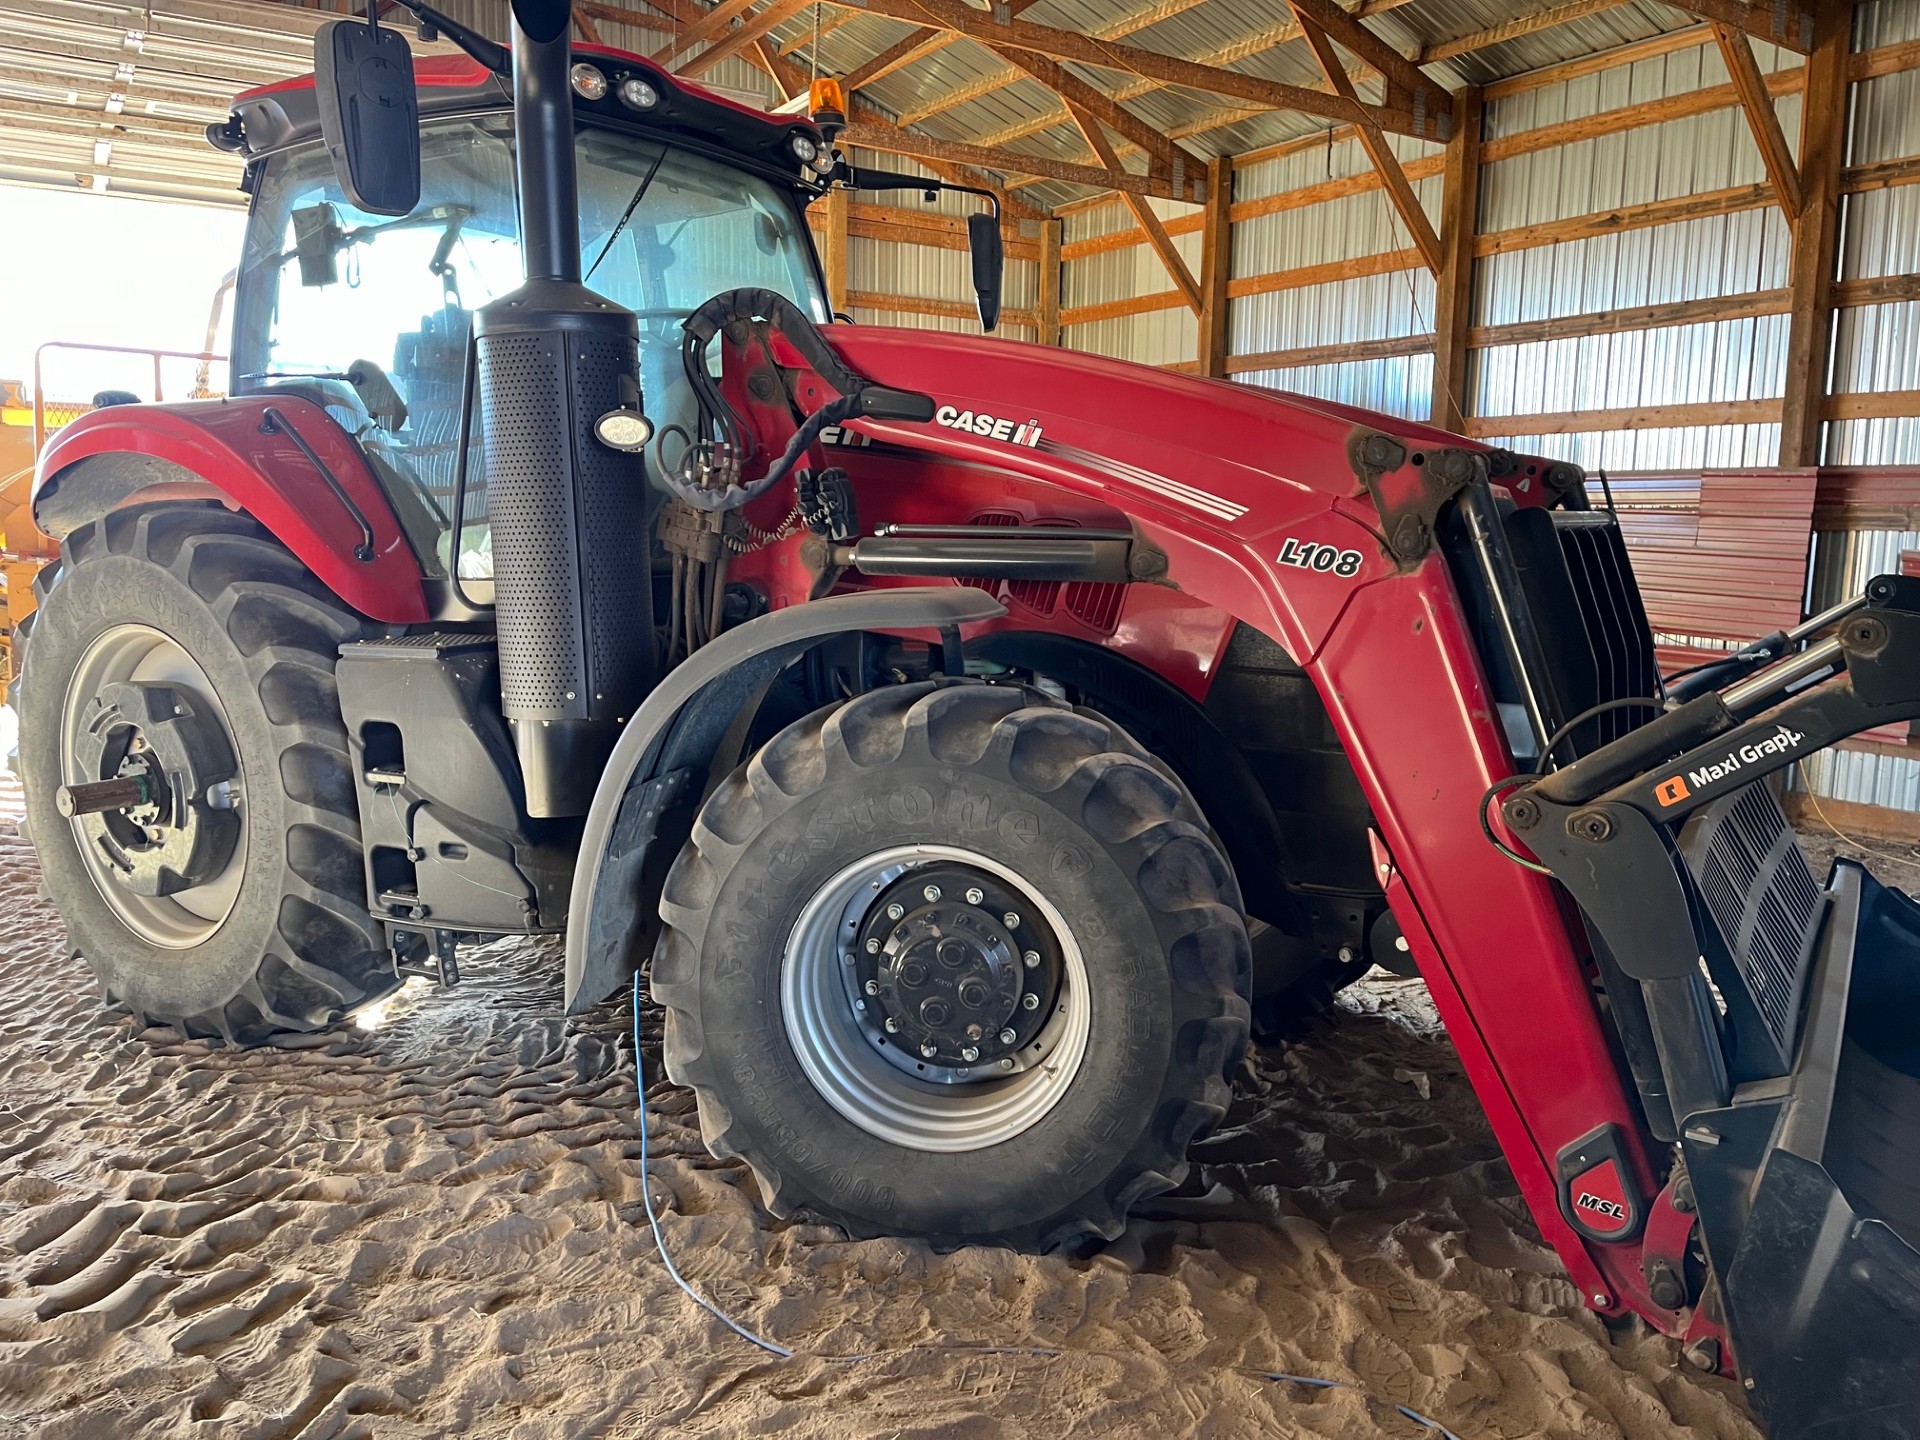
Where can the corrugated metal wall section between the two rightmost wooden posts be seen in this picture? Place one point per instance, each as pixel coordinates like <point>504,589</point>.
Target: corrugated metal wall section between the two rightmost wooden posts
<point>1689,260</point>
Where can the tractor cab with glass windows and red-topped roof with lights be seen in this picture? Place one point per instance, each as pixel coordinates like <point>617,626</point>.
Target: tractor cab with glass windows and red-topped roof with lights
<point>681,195</point>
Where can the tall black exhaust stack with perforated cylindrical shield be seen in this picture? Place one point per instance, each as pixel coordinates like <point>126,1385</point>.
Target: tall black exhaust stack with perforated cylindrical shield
<point>573,590</point>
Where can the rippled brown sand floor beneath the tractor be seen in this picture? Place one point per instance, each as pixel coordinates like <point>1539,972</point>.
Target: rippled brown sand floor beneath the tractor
<point>435,1228</point>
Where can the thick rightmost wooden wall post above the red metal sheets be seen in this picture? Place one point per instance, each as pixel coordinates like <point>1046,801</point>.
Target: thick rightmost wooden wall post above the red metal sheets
<point>1815,237</point>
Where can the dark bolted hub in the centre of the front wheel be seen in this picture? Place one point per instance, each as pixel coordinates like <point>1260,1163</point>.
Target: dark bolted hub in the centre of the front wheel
<point>953,974</point>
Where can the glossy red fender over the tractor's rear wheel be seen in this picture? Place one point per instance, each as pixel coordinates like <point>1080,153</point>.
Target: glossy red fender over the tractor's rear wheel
<point>262,469</point>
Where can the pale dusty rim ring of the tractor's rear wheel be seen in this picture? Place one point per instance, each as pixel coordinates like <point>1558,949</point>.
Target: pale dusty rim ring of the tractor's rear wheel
<point>143,654</point>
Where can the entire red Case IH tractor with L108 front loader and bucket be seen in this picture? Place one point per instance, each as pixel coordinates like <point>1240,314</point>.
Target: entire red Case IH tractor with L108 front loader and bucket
<point>978,738</point>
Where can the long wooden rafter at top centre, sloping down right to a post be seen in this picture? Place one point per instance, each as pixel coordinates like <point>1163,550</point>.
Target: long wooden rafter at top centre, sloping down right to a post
<point>1147,64</point>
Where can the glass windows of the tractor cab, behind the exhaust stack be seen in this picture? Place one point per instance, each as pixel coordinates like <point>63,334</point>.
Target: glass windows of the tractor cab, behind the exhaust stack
<point>370,316</point>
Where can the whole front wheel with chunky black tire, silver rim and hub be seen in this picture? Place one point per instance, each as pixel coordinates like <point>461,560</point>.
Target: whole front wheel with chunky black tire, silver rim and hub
<point>955,961</point>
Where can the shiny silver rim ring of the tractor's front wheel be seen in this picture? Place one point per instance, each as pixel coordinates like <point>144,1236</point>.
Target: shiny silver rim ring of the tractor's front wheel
<point>842,1059</point>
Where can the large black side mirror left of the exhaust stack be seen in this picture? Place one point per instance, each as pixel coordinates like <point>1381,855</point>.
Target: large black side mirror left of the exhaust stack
<point>370,114</point>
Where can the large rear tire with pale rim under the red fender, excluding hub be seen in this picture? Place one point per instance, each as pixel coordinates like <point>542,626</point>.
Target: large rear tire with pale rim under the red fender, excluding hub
<point>252,638</point>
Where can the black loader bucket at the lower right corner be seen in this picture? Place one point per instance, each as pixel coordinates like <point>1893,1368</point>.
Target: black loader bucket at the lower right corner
<point>1810,1189</point>
